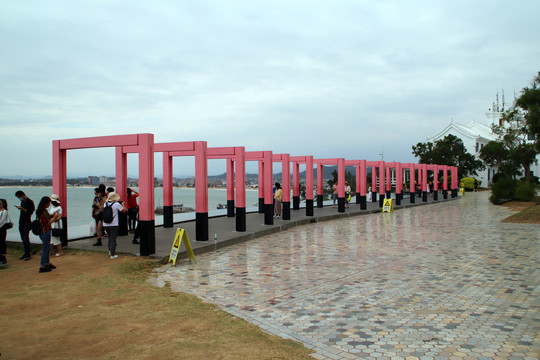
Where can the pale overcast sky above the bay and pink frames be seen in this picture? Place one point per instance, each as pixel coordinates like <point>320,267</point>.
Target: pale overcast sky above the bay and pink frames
<point>324,78</point>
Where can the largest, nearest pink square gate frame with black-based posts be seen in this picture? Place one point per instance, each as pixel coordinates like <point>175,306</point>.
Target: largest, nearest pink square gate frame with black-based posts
<point>143,144</point>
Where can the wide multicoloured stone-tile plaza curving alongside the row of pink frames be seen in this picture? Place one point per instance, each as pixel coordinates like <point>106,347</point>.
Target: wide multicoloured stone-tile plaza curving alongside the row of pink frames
<point>444,281</point>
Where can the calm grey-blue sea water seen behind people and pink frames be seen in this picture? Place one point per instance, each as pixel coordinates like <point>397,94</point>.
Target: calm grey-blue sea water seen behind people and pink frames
<point>79,205</point>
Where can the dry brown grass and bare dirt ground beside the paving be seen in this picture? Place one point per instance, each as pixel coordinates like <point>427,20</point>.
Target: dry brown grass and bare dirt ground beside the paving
<point>92,307</point>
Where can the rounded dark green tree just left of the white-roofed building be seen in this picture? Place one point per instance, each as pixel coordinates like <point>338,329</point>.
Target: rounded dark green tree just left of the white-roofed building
<point>448,151</point>
